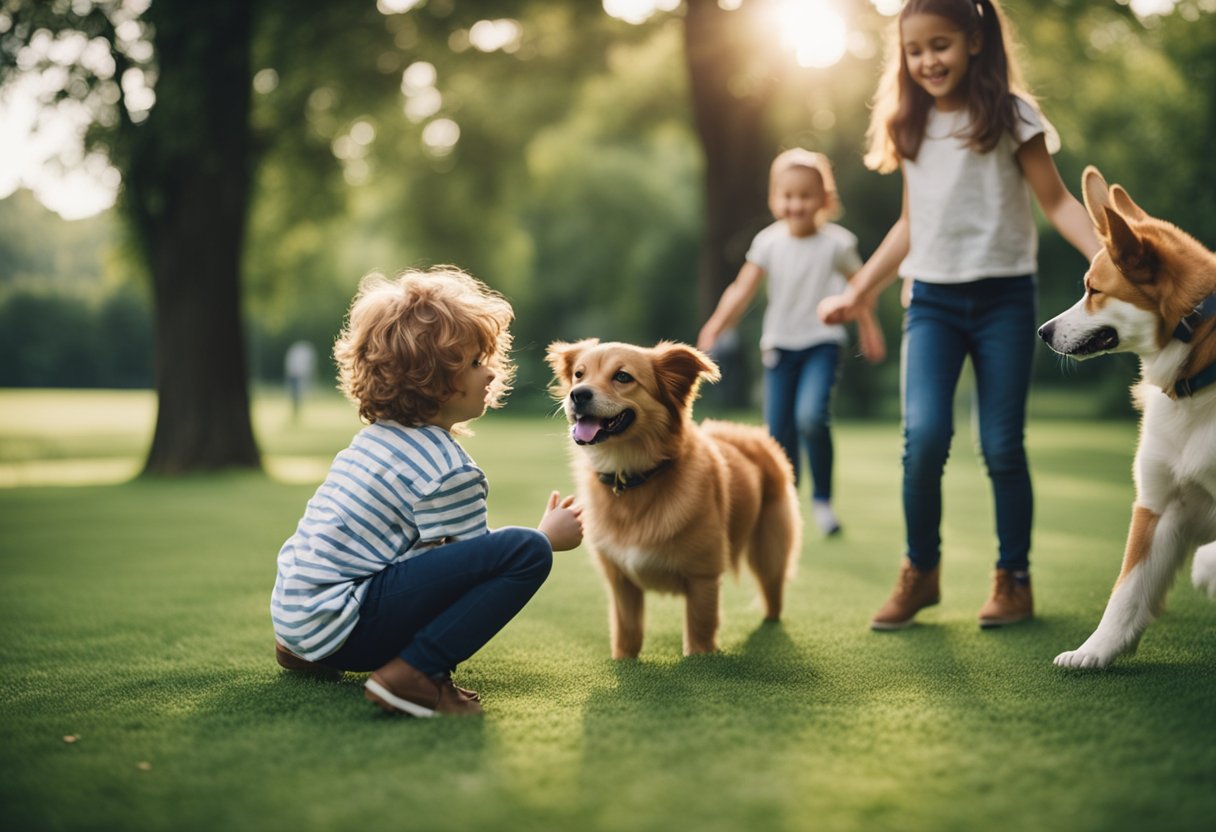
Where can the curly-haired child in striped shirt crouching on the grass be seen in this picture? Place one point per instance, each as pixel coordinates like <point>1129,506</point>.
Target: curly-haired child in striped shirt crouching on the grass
<point>392,569</point>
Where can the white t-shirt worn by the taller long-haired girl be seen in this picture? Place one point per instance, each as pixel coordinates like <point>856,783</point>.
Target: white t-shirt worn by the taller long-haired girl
<point>970,213</point>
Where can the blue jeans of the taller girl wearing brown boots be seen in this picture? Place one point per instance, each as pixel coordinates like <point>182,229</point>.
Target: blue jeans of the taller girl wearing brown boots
<point>994,323</point>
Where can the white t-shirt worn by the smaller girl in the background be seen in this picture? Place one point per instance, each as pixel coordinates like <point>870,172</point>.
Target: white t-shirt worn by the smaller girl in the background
<point>801,273</point>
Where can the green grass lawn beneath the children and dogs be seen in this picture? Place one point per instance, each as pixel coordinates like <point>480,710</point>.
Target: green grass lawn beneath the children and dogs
<point>136,619</point>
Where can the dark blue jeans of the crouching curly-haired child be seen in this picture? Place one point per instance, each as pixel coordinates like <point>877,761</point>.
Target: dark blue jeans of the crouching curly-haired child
<point>438,609</point>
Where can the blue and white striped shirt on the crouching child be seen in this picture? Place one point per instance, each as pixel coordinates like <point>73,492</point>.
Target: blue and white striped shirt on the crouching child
<point>393,494</point>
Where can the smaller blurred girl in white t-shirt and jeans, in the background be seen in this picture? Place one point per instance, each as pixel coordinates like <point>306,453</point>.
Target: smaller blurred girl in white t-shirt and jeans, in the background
<point>807,260</point>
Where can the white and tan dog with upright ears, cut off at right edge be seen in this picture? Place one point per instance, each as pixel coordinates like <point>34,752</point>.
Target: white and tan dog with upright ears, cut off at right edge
<point>1152,291</point>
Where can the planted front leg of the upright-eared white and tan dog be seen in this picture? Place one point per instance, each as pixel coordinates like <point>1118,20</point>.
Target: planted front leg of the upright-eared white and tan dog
<point>1150,563</point>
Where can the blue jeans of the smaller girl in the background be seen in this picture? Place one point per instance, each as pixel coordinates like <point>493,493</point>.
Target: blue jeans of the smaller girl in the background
<point>798,395</point>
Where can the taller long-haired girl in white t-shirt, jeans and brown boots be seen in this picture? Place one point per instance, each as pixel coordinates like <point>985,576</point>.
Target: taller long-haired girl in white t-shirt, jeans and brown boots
<point>972,148</point>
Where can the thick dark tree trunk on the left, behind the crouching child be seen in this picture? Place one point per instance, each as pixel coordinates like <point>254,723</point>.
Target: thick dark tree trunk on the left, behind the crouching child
<point>188,189</point>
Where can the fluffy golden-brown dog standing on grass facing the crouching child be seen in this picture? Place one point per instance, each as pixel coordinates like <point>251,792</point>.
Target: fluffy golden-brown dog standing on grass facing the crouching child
<point>671,505</point>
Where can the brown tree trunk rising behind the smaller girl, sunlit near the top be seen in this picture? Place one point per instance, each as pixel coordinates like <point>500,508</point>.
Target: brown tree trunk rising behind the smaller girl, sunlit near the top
<point>731,88</point>
